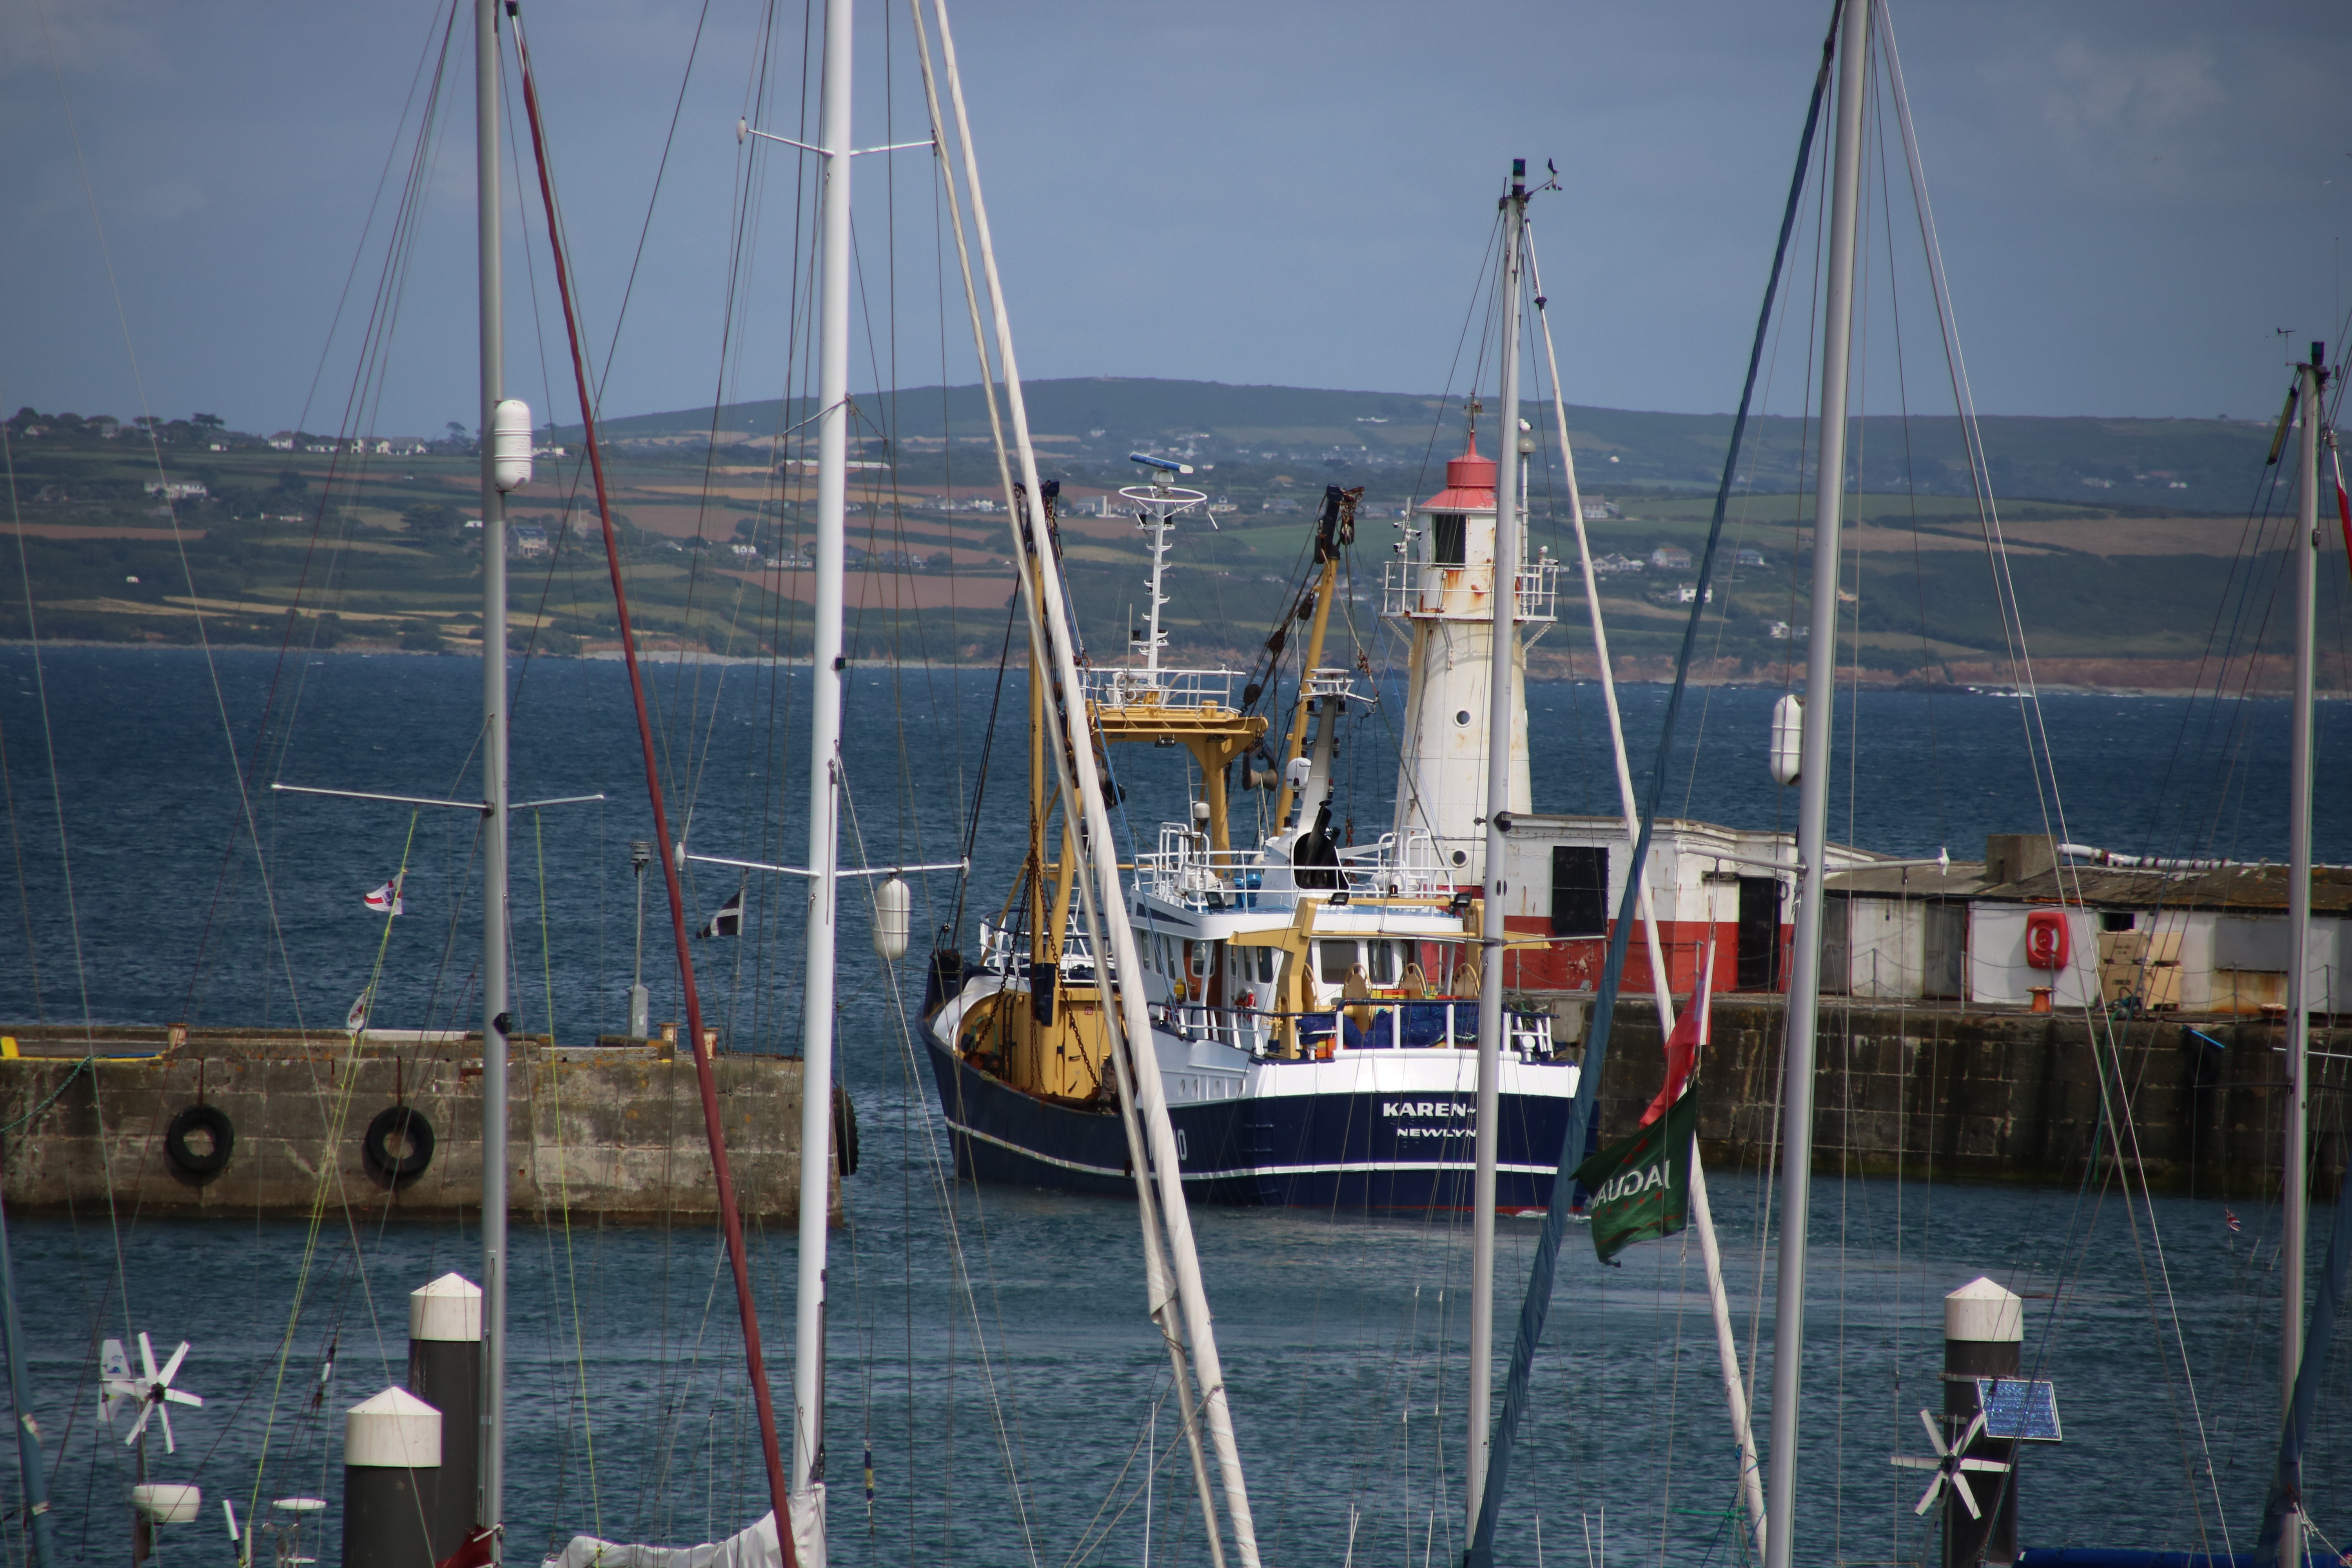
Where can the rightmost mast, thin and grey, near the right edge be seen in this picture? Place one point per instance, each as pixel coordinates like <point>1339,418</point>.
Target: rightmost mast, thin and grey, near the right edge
<point>2299,894</point>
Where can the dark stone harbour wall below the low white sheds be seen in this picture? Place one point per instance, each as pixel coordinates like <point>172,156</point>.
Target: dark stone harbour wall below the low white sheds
<point>1996,1097</point>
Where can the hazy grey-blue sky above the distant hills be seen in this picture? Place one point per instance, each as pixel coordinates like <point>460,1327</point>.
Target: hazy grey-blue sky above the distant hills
<point>2134,199</point>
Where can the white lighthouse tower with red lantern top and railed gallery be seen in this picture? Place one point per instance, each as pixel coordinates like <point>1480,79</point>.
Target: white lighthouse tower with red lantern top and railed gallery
<point>1441,591</point>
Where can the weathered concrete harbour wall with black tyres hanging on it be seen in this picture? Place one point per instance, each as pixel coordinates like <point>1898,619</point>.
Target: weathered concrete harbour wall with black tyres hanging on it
<point>594,1132</point>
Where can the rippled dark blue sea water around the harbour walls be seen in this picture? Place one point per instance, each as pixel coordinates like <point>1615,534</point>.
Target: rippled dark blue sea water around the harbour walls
<point>994,1386</point>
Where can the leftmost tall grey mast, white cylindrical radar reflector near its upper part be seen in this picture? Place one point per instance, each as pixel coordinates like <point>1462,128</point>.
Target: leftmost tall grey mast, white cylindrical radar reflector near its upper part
<point>495,1017</point>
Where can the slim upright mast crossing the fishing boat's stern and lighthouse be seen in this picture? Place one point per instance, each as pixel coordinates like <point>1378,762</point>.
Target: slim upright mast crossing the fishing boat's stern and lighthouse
<point>1504,598</point>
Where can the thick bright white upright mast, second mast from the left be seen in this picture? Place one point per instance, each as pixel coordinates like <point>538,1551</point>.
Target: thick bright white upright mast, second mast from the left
<point>824,763</point>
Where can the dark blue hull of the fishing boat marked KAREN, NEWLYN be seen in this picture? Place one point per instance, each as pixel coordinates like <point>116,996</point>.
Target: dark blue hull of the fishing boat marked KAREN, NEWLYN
<point>1332,1151</point>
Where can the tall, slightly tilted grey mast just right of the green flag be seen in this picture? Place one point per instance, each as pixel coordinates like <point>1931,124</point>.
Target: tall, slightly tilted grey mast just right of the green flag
<point>1815,796</point>
